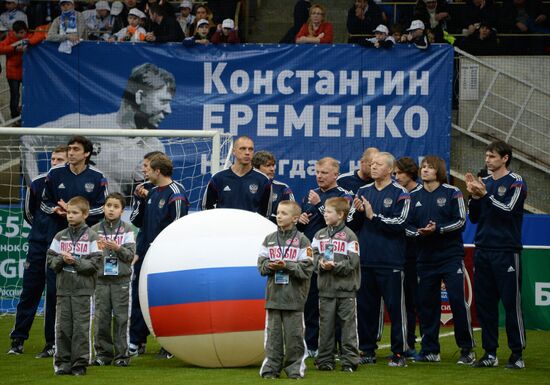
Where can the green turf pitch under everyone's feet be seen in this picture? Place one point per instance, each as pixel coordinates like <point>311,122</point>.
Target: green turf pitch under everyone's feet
<point>26,369</point>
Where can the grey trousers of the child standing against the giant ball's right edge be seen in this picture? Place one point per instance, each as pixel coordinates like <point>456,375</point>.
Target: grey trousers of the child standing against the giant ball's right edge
<point>285,347</point>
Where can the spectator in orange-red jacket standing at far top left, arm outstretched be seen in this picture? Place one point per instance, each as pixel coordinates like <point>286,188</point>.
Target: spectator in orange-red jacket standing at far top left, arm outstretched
<point>13,46</point>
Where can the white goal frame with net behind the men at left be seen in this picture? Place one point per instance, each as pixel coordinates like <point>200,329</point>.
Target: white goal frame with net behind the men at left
<point>25,153</point>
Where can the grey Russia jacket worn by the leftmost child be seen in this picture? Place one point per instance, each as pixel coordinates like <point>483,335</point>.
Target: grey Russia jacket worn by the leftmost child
<point>79,278</point>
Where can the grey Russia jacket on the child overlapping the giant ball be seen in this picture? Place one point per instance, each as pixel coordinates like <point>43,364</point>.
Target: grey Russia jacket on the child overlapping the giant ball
<point>294,248</point>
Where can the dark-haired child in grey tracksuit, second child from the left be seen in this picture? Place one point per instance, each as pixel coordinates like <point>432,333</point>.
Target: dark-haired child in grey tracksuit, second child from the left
<point>112,295</point>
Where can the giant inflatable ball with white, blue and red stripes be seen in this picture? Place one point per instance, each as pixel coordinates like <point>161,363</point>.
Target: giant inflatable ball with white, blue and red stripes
<point>200,291</point>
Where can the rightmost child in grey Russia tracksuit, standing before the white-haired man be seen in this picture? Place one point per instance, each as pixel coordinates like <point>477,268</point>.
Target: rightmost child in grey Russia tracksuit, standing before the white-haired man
<point>336,255</point>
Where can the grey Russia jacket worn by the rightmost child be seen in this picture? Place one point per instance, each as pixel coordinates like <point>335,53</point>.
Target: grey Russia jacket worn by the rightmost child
<point>345,278</point>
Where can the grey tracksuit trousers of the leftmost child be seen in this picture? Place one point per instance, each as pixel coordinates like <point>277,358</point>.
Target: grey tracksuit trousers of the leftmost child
<point>72,332</point>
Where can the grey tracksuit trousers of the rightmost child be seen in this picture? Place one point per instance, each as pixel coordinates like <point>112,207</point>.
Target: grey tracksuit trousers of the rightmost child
<point>345,310</point>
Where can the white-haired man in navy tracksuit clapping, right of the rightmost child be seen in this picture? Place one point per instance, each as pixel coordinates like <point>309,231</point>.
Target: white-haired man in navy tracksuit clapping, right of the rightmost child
<point>382,210</point>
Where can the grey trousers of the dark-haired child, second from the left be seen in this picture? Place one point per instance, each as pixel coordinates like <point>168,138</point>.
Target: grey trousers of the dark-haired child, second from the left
<point>112,309</point>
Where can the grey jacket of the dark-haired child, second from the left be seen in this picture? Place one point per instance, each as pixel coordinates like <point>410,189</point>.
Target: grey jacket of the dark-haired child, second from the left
<point>123,234</point>
